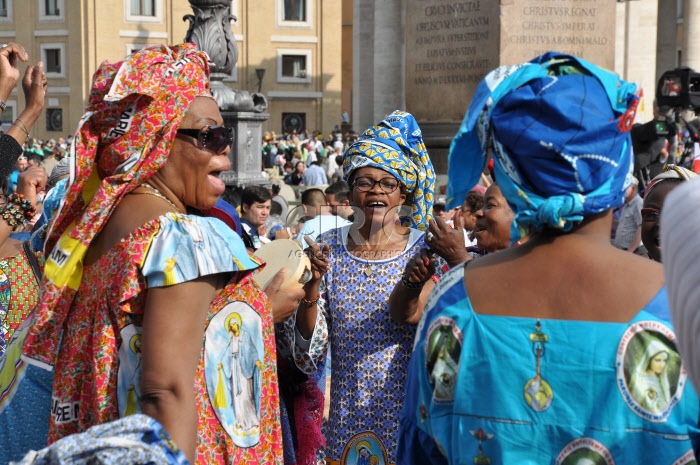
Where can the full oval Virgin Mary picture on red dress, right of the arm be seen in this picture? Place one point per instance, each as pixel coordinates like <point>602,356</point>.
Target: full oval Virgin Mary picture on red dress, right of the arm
<point>233,355</point>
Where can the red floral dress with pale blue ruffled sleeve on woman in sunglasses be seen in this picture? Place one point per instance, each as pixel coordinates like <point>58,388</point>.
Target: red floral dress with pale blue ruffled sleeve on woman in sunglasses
<point>98,370</point>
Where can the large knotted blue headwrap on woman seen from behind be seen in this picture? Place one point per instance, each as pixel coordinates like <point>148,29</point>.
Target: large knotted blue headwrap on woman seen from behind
<point>558,127</point>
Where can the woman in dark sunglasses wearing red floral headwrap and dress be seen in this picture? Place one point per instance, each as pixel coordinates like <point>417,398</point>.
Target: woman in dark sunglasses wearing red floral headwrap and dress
<point>147,306</point>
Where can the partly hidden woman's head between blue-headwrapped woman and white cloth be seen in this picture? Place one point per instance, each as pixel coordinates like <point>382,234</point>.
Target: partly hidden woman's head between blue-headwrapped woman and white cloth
<point>654,197</point>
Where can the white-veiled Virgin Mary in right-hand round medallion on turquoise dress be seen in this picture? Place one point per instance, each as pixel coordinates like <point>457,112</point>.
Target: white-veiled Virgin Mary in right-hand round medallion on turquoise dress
<point>651,384</point>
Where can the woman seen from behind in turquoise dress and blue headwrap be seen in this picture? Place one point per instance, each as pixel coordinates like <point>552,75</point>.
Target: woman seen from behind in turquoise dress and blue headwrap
<point>560,351</point>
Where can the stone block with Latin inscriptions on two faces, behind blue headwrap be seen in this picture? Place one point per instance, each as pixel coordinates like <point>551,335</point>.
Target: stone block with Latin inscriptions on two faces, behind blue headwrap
<point>451,45</point>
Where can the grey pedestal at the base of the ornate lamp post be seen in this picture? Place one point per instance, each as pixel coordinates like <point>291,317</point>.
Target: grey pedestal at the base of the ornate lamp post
<point>245,155</point>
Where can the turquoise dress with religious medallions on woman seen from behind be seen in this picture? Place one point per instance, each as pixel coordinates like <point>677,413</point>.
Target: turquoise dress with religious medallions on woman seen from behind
<point>552,391</point>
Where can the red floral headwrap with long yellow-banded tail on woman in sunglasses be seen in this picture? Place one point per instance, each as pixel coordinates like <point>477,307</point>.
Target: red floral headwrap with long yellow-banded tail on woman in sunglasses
<point>134,110</point>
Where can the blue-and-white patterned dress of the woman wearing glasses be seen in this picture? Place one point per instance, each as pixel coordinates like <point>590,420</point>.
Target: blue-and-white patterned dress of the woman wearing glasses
<point>370,352</point>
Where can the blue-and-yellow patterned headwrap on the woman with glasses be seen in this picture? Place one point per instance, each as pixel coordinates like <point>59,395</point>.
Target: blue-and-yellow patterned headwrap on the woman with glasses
<point>396,145</point>
